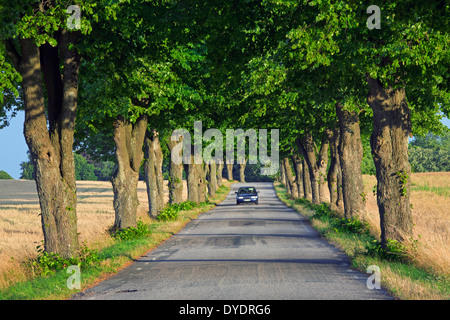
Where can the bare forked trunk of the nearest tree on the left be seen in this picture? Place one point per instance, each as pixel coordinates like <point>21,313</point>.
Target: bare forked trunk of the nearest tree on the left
<point>51,150</point>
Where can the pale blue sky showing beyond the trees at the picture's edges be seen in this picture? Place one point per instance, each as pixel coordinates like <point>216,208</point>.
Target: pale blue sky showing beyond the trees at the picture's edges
<point>13,147</point>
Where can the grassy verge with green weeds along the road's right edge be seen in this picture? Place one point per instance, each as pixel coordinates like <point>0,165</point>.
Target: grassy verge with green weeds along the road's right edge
<point>400,275</point>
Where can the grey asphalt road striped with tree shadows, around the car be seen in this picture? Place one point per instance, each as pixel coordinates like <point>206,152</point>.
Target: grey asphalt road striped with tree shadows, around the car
<point>264,251</point>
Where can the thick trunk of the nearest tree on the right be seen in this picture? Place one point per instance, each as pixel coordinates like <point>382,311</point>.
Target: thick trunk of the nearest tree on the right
<point>389,143</point>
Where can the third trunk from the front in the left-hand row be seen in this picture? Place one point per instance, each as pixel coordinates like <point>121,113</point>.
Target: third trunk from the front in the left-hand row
<point>153,173</point>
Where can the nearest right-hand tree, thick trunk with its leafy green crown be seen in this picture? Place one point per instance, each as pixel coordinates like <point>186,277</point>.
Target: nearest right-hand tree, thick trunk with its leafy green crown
<point>403,69</point>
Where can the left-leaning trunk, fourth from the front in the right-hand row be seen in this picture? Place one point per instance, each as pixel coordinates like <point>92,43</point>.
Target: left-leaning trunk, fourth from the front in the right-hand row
<point>306,147</point>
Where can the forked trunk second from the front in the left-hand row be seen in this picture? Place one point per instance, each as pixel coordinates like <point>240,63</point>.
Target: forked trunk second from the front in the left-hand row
<point>129,139</point>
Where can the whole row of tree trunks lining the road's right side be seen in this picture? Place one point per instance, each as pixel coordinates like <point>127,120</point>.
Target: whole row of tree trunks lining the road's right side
<point>389,144</point>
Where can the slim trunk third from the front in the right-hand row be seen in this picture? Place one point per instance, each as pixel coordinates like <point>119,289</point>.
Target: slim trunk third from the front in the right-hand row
<point>334,176</point>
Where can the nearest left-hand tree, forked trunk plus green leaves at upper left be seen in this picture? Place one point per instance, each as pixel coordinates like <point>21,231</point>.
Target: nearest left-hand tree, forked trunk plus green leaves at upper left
<point>39,51</point>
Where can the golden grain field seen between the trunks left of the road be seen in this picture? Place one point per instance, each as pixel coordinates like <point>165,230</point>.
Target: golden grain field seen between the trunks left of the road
<point>20,223</point>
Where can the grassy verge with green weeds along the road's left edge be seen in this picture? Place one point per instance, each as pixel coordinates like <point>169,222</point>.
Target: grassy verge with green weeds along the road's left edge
<point>45,283</point>
